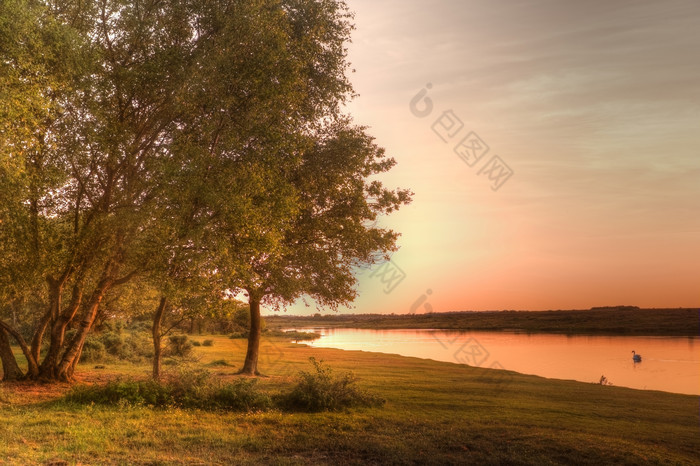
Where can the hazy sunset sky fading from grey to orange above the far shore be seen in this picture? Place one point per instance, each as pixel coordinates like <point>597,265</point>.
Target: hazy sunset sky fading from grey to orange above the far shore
<point>594,106</point>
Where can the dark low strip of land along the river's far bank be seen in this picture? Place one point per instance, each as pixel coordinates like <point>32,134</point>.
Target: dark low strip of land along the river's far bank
<point>618,321</point>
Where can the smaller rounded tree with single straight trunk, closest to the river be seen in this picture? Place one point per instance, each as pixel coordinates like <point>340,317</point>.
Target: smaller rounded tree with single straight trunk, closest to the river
<point>328,234</point>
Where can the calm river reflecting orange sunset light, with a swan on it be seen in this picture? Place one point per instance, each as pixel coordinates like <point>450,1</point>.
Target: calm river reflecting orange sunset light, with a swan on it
<point>670,364</point>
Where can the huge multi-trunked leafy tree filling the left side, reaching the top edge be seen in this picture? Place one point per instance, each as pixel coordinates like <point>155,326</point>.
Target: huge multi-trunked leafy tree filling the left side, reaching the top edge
<point>125,114</point>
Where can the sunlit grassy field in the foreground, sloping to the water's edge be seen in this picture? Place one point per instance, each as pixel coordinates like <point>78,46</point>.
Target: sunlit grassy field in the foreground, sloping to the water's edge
<point>436,413</point>
